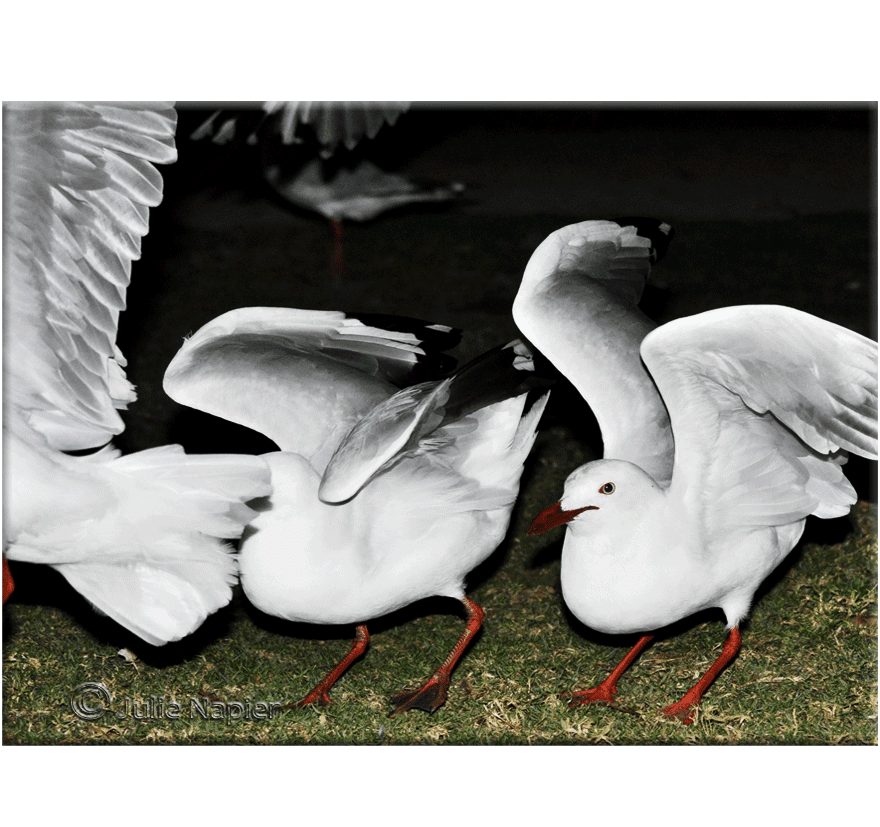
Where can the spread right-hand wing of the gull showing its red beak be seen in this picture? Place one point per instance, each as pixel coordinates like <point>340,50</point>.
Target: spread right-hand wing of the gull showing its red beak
<point>764,402</point>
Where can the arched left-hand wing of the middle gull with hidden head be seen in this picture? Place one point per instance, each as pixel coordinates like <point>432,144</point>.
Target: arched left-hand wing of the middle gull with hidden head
<point>301,377</point>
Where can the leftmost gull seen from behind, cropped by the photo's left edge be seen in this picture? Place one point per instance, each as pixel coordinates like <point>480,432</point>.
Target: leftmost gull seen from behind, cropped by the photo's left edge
<point>140,536</point>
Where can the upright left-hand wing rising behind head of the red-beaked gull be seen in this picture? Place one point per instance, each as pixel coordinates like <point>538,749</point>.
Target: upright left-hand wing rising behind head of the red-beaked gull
<point>577,305</point>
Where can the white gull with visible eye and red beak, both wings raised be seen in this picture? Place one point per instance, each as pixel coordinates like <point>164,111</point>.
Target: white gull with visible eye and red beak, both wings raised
<point>762,404</point>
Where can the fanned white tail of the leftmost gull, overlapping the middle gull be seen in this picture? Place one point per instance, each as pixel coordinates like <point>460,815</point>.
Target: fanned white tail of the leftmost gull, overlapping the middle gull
<point>174,570</point>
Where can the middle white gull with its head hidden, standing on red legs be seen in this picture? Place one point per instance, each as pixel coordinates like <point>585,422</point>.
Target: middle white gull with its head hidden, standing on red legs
<point>383,495</point>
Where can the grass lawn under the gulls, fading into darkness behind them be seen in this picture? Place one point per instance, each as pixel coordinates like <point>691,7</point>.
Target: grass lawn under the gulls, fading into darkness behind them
<point>807,672</point>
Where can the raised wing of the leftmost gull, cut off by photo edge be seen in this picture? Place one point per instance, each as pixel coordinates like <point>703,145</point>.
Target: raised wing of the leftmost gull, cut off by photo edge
<point>79,179</point>
